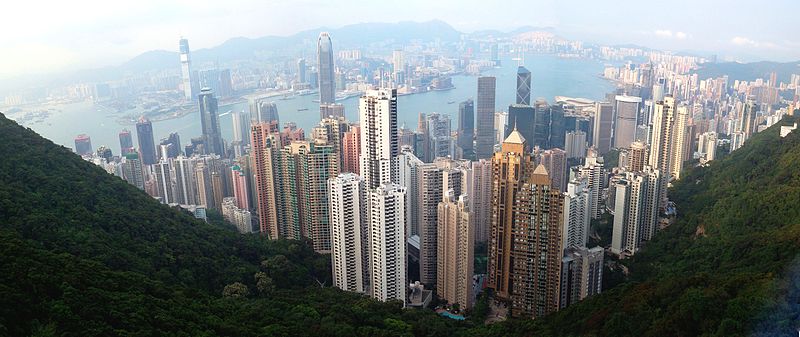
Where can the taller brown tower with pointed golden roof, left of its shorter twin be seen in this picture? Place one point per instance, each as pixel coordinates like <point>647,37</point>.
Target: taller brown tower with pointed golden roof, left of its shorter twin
<point>510,169</point>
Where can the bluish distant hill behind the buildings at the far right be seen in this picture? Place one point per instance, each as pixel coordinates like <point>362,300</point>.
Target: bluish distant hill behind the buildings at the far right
<point>749,71</point>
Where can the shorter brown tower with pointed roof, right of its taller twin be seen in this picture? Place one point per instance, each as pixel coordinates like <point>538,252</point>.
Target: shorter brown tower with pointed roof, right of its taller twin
<point>535,248</point>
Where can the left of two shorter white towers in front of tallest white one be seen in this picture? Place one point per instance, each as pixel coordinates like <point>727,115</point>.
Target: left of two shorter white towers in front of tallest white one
<point>349,233</point>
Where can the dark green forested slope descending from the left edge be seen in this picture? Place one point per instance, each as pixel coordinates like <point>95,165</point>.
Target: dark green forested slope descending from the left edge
<point>83,253</point>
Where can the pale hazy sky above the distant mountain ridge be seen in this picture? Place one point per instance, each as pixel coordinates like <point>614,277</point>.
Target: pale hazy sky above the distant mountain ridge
<point>53,35</point>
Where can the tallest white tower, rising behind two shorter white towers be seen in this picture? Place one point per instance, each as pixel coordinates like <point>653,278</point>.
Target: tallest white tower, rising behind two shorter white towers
<point>379,143</point>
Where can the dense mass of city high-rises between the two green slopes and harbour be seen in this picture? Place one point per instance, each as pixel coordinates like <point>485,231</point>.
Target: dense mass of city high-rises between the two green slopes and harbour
<point>403,213</point>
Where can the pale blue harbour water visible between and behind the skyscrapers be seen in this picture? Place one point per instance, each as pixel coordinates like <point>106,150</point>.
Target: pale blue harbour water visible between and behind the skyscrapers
<point>552,76</point>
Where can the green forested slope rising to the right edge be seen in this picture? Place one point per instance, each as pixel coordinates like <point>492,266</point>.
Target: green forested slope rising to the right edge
<point>727,267</point>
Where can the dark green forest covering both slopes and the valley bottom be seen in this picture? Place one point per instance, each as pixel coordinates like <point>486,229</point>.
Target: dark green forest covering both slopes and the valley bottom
<point>82,253</point>
